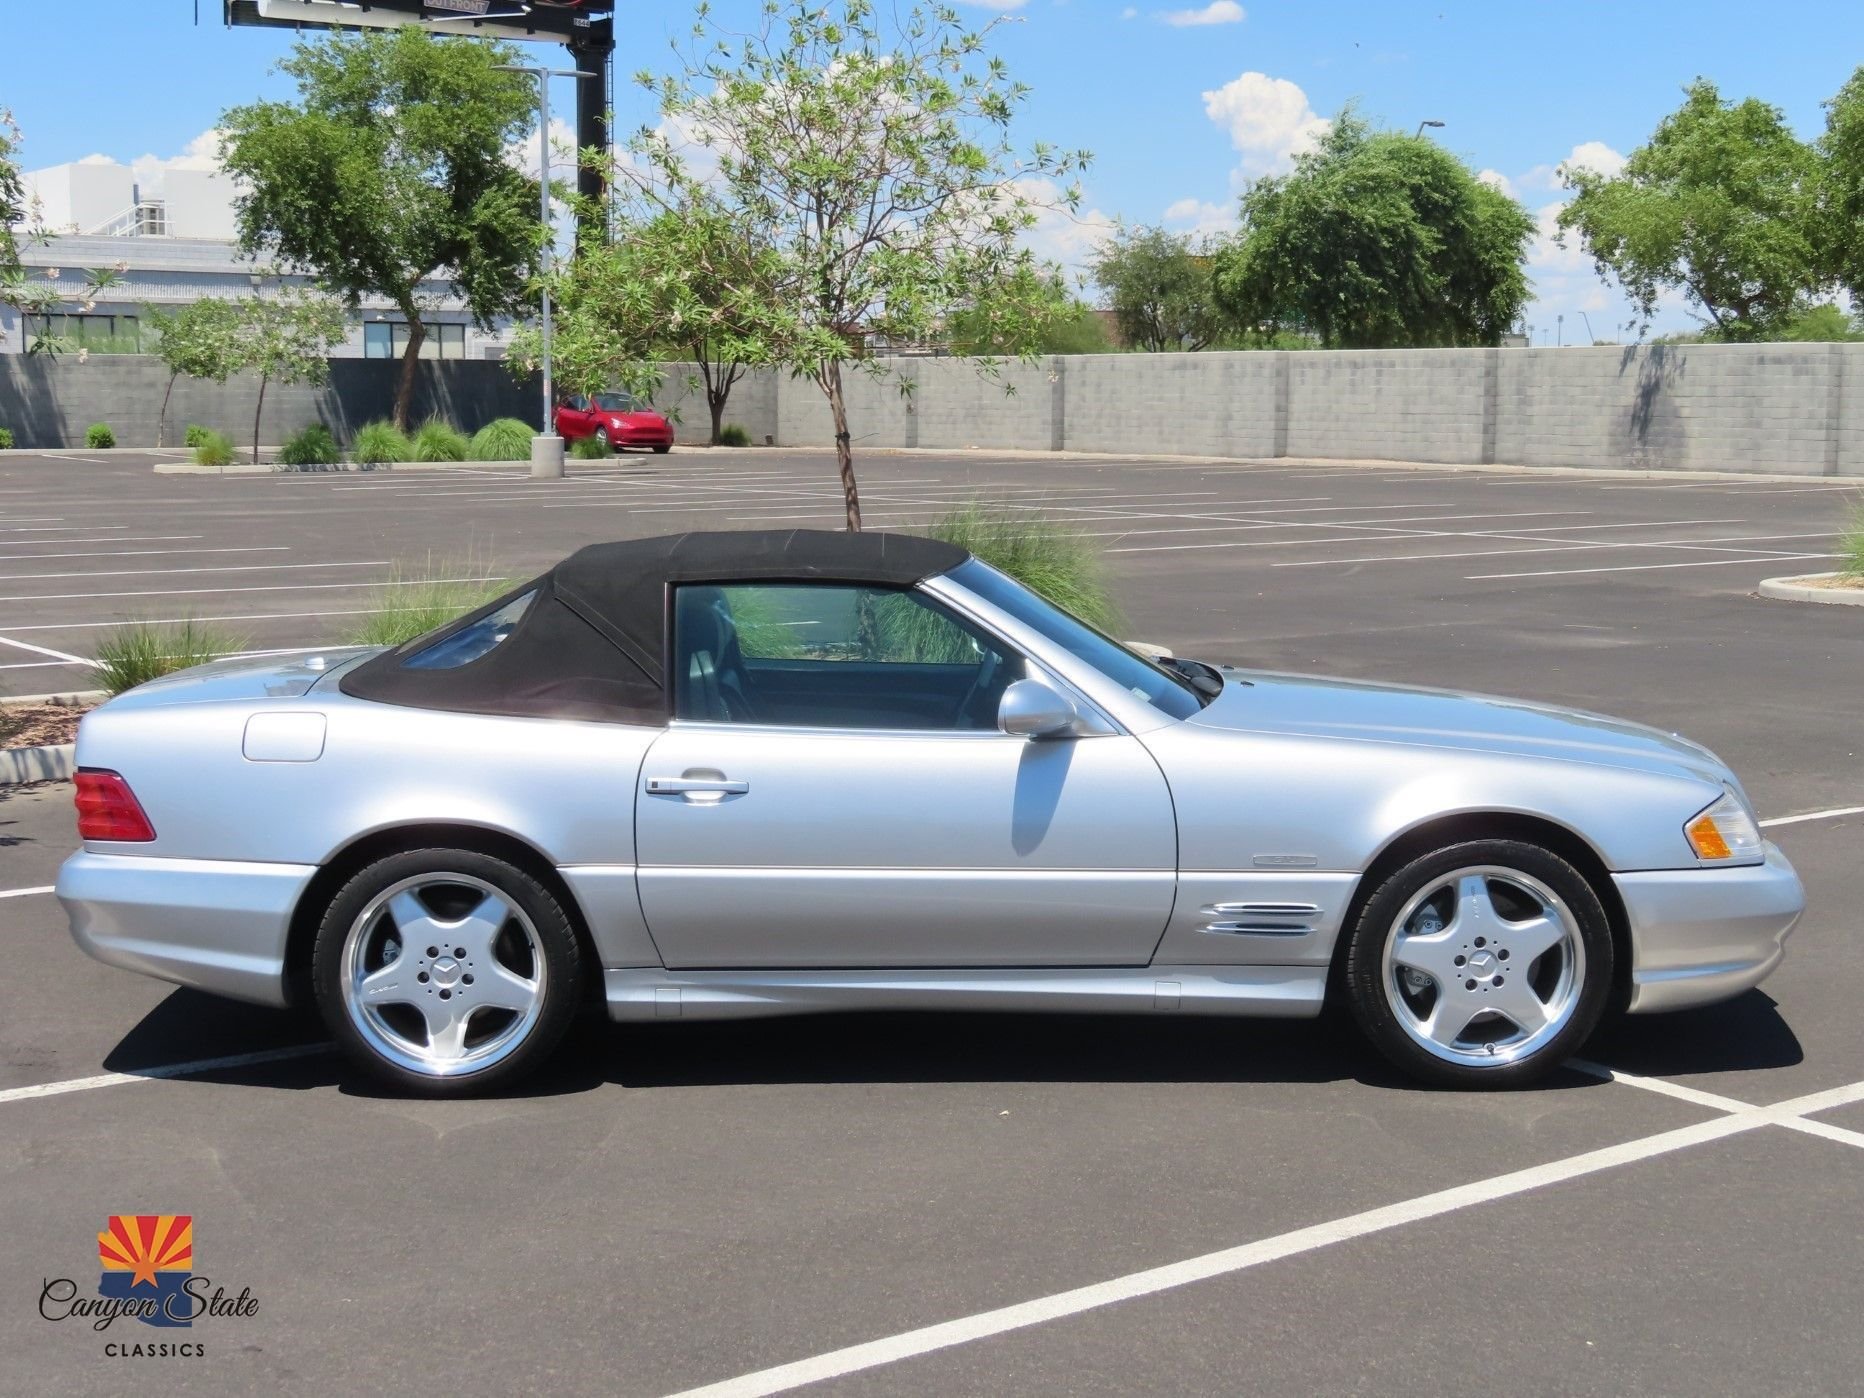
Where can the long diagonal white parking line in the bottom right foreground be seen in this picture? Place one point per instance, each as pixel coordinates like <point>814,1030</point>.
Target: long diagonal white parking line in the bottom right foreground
<point>1231,1261</point>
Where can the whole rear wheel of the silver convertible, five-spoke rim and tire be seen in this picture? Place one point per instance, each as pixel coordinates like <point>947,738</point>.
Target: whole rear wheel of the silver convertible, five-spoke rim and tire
<point>446,972</point>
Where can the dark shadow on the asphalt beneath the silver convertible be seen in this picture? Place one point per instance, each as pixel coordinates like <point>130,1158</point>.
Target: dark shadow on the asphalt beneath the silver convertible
<point>940,1048</point>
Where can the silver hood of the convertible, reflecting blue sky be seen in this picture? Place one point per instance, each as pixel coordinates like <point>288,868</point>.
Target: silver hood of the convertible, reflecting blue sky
<point>1354,711</point>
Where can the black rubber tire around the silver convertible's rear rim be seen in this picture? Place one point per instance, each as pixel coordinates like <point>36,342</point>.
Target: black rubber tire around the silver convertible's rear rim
<point>553,942</point>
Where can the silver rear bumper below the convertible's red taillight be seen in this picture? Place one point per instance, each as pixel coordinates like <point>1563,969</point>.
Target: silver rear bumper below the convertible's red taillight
<point>208,924</point>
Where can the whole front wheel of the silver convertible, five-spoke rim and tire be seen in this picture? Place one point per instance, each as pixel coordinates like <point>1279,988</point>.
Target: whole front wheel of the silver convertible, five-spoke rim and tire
<point>1483,965</point>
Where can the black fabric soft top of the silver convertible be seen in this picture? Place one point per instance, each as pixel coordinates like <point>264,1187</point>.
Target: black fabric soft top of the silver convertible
<point>592,644</point>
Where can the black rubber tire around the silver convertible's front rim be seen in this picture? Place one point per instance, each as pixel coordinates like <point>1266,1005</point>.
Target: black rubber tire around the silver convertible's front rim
<point>1371,998</point>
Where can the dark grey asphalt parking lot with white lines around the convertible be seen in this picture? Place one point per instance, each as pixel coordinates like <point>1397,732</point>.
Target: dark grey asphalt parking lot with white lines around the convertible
<point>985,1205</point>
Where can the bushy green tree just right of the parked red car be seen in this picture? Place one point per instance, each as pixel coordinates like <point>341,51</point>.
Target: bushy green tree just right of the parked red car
<point>683,282</point>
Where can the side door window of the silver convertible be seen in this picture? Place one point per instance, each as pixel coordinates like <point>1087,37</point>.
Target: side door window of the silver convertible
<point>821,655</point>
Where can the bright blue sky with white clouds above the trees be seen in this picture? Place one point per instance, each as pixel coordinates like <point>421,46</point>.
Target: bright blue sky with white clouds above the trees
<point>1177,113</point>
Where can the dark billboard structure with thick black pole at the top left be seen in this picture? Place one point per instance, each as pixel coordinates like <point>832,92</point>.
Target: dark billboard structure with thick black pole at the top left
<point>586,27</point>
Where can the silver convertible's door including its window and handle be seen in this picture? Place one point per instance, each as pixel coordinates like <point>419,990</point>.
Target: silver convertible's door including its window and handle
<point>836,793</point>
